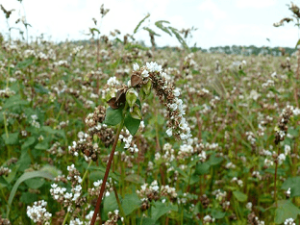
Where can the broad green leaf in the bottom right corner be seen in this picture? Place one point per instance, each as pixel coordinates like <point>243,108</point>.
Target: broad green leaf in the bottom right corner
<point>286,209</point>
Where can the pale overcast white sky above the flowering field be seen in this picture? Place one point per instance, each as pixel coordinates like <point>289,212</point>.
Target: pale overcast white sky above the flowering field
<point>218,22</point>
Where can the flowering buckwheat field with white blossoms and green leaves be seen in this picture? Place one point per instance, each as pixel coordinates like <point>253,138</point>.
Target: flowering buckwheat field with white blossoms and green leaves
<point>109,131</point>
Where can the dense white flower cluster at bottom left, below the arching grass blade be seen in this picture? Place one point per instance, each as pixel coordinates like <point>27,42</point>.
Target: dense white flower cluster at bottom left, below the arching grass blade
<point>38,213</point>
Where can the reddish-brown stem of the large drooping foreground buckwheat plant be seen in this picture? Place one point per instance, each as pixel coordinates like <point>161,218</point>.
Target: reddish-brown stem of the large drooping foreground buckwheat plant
<point>99,200</point>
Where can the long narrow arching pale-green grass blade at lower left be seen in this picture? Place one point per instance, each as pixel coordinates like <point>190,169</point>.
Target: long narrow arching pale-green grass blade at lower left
<point>21,179</point>
